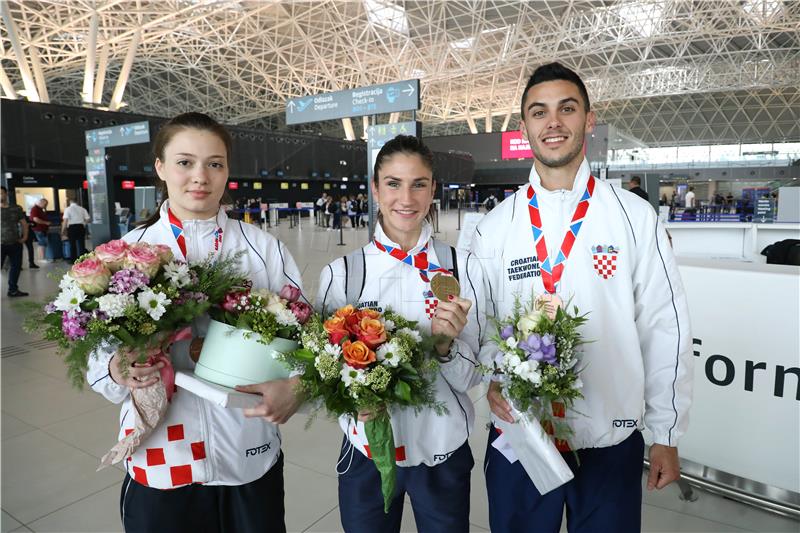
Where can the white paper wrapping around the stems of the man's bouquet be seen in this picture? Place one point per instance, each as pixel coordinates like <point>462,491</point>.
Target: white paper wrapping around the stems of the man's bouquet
<point>526,441</point>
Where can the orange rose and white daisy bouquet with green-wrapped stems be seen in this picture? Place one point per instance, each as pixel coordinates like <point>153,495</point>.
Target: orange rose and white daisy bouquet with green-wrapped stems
<point>363,360</point>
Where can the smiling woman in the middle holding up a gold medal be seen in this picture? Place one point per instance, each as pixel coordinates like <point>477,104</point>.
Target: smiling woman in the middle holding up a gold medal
<point>404,269</point>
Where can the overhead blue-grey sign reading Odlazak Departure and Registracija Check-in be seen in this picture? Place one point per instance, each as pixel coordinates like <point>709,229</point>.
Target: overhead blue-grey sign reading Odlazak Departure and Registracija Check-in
<point>385,98</point>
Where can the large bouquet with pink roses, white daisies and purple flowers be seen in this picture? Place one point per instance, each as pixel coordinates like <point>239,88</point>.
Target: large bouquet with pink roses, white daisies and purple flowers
<point>133,296</point>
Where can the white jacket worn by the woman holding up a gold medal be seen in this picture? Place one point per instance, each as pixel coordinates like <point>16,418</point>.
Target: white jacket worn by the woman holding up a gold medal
<point>424,438</point>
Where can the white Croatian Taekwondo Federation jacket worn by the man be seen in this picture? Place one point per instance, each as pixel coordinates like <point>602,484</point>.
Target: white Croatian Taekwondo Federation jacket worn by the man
<point>638,362</point>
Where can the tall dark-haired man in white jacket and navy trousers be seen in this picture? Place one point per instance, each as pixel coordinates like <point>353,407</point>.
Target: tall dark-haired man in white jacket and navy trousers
<point>603,250</point>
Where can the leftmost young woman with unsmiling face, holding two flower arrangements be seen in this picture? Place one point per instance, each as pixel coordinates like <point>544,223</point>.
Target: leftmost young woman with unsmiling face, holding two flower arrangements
<point>203,467</point>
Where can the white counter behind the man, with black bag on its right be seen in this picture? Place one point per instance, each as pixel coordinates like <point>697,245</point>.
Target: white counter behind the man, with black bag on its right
<point>728,240</point>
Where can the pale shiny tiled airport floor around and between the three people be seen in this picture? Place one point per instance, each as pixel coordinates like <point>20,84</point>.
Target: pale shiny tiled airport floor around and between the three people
<point>53,437</point>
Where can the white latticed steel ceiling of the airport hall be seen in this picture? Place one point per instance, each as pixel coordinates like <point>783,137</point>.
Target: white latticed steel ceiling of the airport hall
<point>666,72</point>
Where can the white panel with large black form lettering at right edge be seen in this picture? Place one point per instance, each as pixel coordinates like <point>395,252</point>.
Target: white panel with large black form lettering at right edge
<point>745,417</point>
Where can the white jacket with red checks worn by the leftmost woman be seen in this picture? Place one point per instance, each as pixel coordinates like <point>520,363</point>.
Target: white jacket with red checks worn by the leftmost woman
<point>200,442</point>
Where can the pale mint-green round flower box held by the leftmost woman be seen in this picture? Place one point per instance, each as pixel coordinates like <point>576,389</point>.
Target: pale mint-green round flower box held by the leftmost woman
<point>229,358</point>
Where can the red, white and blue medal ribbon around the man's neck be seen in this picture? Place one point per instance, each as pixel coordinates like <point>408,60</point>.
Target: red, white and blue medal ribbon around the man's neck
<point>551,273</point>
